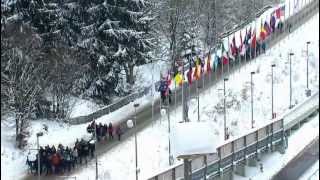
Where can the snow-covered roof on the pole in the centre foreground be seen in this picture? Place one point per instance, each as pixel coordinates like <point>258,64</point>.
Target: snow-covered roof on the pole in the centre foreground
<point>192,138</point>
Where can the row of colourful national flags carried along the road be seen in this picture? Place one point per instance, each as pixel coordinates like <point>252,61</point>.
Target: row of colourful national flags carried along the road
<point>205,65</point>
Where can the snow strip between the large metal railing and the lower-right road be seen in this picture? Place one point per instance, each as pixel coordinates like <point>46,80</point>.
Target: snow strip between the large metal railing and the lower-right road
<point>307,132</point>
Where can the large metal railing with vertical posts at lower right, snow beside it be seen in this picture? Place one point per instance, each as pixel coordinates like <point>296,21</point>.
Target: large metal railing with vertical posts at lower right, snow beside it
<point>239,149</point>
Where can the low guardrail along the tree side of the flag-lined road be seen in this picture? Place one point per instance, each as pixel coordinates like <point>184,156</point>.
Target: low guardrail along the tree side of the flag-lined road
<point>127,99</point>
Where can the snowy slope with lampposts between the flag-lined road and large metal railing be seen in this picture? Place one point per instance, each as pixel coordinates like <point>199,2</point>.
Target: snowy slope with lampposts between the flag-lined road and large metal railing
<point>119,163</point>
